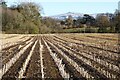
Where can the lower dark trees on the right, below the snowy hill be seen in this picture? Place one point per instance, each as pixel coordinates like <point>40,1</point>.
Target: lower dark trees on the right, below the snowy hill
<point>102,22</point>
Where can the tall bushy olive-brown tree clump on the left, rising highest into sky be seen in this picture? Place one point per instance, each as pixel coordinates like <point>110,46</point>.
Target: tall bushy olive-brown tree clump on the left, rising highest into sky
<point>22,18</point>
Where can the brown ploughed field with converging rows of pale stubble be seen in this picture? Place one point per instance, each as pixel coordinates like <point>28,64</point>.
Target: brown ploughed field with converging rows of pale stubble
<point>43,56</point>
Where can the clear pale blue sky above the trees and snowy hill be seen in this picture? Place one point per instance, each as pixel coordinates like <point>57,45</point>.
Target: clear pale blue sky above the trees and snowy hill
<point>55,7</point>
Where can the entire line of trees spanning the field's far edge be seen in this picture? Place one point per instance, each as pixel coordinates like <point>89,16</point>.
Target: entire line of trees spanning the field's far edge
<point>25,18</point>
